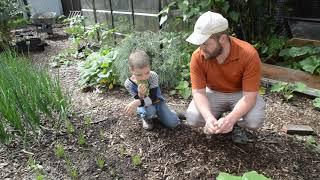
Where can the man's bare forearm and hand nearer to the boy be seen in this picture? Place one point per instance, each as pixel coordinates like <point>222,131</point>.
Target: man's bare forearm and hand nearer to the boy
<point>202,104</point>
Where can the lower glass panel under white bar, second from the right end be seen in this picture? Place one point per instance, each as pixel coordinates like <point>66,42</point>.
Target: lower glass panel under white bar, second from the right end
<point>122,23</point>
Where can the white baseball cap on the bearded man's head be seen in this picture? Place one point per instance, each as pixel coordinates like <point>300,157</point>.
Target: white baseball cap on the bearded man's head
<point>207,24</point>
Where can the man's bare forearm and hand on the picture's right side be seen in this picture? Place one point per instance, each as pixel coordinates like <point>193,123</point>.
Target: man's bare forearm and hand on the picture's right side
<point>243,106</point>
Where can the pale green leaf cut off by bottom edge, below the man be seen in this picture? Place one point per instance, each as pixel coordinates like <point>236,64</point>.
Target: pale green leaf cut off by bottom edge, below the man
<point>252,175</point>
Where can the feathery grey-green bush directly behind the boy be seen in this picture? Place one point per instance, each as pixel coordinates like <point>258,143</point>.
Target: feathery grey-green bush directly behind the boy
<point>168,52</point>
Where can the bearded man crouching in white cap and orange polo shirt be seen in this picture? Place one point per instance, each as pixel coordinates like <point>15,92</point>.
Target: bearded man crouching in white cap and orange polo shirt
<point>225,76</point>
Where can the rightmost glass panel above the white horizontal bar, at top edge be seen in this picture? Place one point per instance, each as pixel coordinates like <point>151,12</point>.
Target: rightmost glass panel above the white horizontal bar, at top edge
<point>143,6</point>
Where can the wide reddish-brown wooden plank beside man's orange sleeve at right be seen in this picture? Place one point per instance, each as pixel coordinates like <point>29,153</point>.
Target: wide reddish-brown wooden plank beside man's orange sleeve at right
<point>290,75</point>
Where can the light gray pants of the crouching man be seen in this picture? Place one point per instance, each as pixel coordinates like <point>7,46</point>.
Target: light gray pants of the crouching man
<point>224,102</point>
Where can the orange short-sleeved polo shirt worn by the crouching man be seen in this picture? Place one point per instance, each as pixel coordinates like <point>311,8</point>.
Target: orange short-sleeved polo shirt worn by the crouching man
<point>241,71</point>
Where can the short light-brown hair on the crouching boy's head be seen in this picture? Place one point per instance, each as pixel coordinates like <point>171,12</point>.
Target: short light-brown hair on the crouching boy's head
<point>139,59</point>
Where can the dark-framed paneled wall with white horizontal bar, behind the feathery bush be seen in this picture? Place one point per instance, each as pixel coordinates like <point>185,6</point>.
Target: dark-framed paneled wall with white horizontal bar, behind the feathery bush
<point>123,15</point>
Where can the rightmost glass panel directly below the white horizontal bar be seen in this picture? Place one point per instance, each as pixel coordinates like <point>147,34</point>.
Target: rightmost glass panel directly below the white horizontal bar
<point>143,23</point>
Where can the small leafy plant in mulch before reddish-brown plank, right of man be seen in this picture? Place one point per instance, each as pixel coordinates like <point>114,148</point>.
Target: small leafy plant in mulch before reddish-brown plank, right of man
<point>287,89</point>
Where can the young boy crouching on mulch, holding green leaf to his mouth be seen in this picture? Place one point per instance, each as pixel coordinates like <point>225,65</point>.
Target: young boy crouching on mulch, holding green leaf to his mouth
<point>148,101</point>
